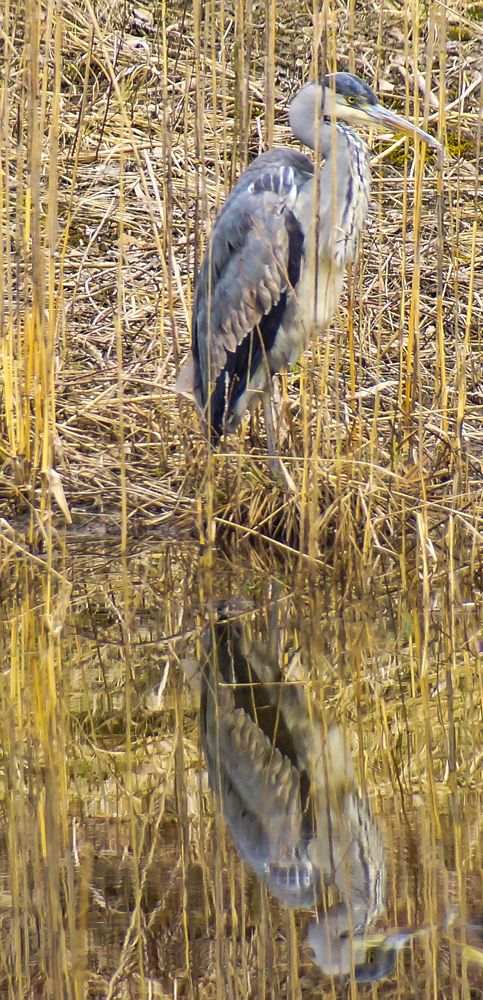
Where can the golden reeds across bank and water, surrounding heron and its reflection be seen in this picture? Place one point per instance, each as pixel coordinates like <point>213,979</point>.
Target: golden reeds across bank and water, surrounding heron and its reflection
<point>122,128</point>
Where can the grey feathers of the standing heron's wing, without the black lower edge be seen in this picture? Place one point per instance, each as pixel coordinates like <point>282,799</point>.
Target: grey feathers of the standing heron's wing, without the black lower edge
<point>246,268</point>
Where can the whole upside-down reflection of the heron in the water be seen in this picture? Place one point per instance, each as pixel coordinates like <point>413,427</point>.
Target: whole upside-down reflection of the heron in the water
<point>290,798</point>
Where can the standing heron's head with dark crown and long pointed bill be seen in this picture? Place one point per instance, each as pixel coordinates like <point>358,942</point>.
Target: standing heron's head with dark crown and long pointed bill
<point>345,96</point>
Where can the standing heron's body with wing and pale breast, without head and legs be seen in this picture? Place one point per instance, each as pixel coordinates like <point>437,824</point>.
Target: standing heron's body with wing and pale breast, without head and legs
<point>259,287</point>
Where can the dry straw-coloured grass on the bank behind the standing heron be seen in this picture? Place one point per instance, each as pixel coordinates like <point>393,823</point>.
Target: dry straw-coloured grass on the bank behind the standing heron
<point>152,126</point>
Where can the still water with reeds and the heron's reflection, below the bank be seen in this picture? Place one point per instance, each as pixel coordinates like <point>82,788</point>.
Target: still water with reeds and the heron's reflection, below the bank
<point>230,774</point>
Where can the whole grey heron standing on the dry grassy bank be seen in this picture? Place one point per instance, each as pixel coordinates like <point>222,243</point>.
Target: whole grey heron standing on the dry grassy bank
<point>275,262</point>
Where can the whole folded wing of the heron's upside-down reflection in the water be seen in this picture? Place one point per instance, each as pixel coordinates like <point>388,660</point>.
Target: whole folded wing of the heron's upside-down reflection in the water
<point>263,787</point>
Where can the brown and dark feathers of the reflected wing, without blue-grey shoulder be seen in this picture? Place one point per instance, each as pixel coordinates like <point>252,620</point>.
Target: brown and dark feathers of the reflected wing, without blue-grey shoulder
<point>250,756</point>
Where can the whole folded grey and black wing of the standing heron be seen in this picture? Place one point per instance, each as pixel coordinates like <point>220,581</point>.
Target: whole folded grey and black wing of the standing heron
<point>253,260</point>
